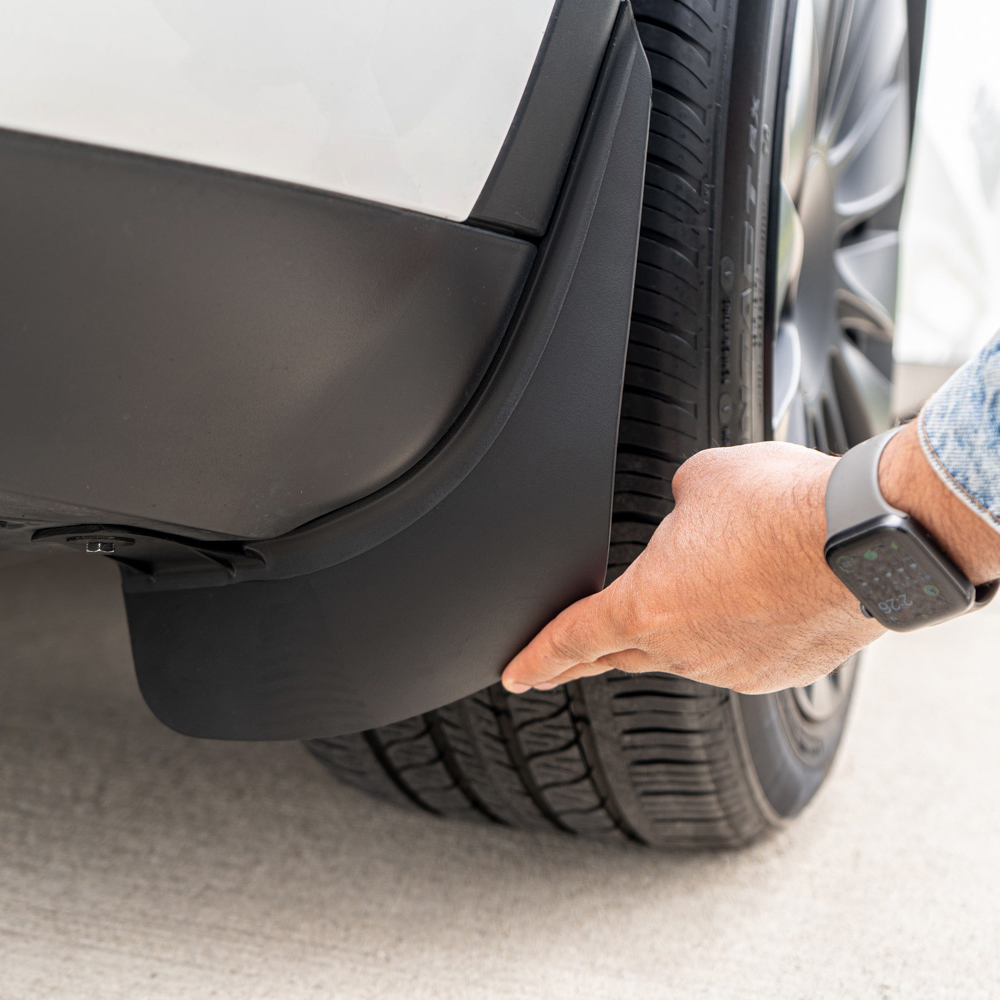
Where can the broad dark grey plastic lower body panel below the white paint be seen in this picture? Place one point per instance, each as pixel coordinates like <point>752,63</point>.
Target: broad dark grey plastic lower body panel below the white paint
<point>209,354</point>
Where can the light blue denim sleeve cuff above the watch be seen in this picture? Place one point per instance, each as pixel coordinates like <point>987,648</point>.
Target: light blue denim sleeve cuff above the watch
<point>960,433</point>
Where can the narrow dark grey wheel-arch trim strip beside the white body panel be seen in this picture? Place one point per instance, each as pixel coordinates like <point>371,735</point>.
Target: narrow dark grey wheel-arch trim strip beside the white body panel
<point>522,188</point>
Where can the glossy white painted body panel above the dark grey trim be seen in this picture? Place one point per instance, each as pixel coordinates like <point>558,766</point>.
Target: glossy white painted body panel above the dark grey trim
<point>405,102</point>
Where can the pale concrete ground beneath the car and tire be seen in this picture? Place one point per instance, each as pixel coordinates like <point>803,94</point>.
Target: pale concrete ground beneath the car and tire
<point>141,864</point>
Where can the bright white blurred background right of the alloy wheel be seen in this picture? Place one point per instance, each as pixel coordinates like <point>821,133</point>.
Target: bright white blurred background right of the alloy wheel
<point>950,279</point>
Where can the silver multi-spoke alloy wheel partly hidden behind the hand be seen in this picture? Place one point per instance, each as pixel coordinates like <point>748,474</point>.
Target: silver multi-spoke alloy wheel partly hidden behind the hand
<point>845,143</point>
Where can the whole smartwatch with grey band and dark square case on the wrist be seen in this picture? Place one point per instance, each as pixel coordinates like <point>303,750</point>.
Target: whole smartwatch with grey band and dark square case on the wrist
<point>885,558</point>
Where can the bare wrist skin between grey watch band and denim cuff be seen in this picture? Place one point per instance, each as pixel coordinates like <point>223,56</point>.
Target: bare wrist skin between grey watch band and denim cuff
<point>909,483</point>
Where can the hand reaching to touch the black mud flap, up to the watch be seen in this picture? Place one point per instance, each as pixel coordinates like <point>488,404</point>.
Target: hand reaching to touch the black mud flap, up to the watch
<point>732,590</point>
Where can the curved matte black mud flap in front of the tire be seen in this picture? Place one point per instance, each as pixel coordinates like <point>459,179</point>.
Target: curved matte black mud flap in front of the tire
<point>419,596</point>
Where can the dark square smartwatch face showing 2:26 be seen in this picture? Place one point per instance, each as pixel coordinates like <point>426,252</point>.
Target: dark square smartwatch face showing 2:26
<point>903,580</point>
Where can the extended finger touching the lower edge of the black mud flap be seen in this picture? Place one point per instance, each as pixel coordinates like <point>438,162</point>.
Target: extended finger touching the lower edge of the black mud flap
<point>583,633</point>
